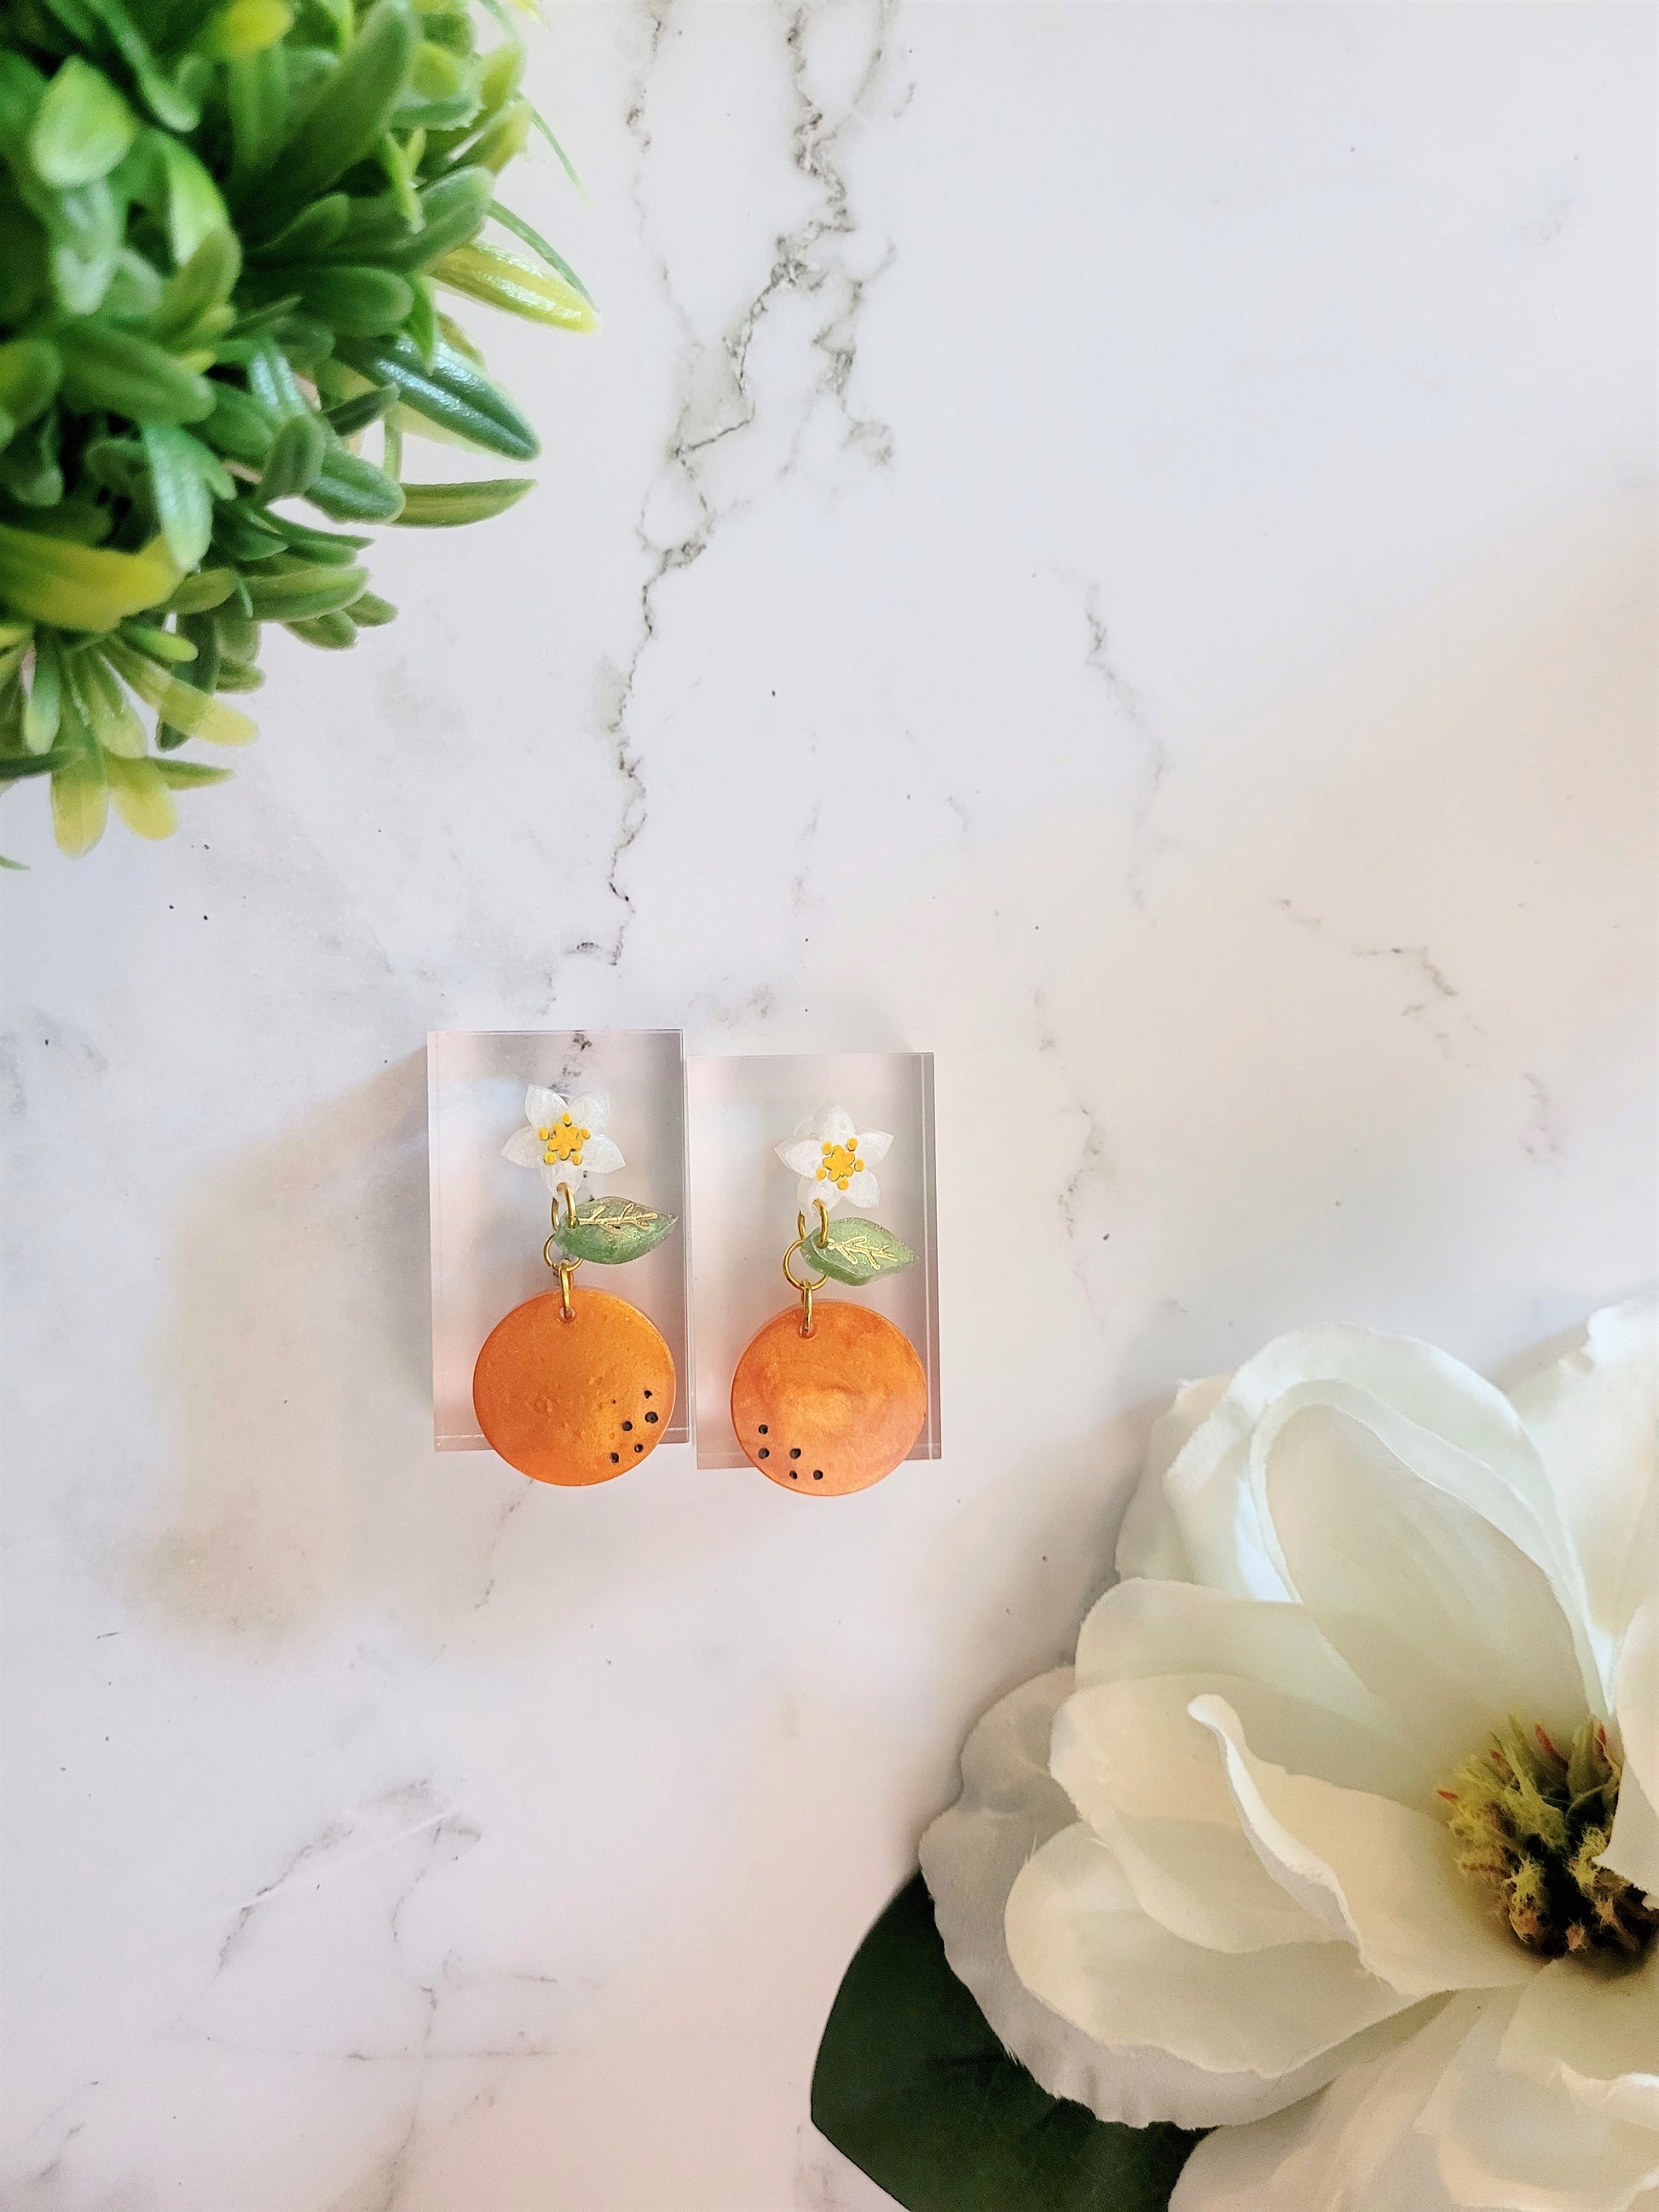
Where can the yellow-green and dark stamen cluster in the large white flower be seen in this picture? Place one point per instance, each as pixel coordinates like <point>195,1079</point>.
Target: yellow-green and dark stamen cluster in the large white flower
<point>1530,1824</point>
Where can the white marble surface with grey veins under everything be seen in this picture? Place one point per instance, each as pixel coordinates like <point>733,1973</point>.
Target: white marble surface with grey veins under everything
<point>1114,543</point>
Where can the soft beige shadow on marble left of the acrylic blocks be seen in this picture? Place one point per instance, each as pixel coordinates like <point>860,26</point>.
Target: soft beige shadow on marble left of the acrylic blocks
<point>298,1361</point>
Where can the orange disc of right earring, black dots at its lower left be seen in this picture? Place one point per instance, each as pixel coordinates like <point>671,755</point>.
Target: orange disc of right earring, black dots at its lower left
<point>831,1412</point>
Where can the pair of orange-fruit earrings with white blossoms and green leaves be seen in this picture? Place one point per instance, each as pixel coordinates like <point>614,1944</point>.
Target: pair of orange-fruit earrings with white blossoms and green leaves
<point>574,1388</point>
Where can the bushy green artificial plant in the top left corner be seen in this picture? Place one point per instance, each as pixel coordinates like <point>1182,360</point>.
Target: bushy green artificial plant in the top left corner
<point>225,236</point>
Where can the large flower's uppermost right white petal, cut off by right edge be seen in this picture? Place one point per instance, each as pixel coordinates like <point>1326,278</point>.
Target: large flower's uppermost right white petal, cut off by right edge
<point>1592,1417</point>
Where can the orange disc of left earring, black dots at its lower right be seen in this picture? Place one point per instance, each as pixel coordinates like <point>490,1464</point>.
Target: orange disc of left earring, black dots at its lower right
<point>574,1401</point>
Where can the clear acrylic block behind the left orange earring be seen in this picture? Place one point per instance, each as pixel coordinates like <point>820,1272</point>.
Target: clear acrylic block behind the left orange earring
<point>490,1218</point>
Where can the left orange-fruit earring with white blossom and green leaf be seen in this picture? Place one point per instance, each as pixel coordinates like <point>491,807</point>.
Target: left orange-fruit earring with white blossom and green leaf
<point>576,1388</point>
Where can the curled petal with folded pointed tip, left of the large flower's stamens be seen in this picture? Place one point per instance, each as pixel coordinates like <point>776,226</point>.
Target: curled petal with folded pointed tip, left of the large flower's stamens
<point>1375,1872</point>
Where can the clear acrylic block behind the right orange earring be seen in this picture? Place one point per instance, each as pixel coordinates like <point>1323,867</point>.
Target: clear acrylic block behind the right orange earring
<point>744,1207</point>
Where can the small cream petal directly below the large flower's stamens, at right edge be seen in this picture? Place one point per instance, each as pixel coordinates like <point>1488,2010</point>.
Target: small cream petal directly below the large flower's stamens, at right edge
<point>1594,2036</point>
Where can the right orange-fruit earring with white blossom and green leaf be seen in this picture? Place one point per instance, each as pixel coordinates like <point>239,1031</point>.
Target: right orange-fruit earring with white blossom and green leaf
<point>831,1397</point>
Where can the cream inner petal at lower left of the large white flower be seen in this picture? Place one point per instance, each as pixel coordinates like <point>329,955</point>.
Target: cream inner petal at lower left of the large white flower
<point>1083,1945</point>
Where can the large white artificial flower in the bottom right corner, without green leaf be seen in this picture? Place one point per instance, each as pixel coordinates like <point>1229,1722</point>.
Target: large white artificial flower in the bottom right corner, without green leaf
<point>1313,1839</point>
